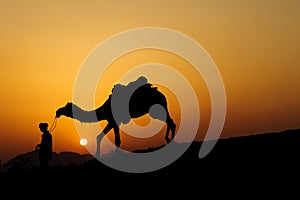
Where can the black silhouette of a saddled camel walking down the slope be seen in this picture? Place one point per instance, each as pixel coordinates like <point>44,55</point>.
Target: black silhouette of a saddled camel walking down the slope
<point>131,101</point>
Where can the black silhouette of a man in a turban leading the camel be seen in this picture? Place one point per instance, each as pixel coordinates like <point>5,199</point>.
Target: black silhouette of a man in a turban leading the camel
<point>45,147</point>
